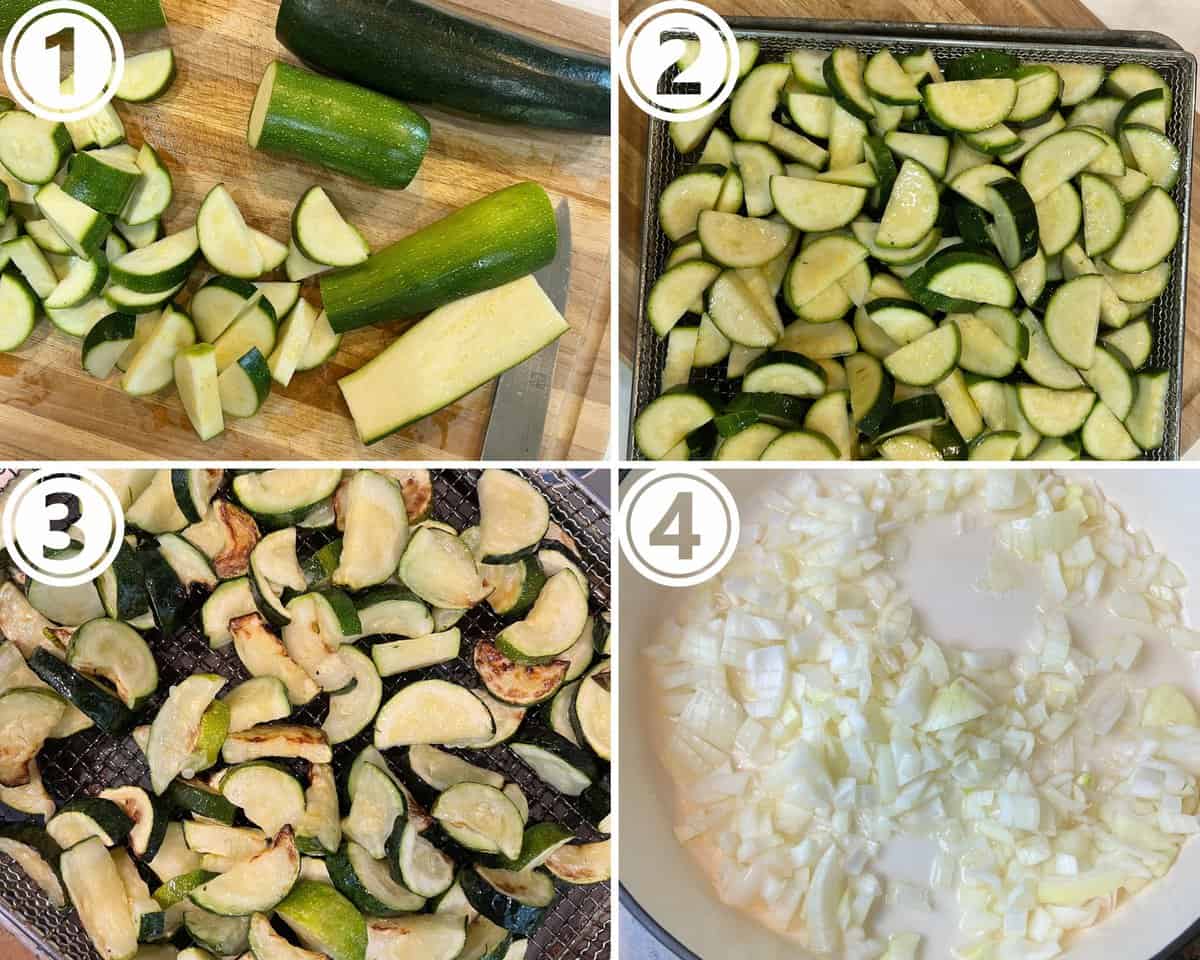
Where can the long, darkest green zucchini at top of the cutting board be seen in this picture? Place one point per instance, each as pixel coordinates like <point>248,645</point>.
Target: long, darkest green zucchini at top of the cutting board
<point>419,53</point>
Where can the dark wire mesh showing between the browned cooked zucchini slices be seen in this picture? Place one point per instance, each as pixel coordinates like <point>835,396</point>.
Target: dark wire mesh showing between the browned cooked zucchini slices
<point>579,926</point>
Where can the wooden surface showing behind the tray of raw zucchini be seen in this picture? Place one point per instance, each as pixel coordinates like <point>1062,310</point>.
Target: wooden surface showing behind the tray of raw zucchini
<point>1006,13</point>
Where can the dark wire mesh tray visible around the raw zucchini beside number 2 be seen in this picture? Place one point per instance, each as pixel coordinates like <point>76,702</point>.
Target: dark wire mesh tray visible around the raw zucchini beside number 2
<point>778,38</point>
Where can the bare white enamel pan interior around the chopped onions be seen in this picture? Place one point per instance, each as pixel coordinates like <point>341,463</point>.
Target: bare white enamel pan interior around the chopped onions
<point>670,889</point>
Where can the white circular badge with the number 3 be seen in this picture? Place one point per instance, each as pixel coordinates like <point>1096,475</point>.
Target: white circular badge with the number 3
<point>63,527</point>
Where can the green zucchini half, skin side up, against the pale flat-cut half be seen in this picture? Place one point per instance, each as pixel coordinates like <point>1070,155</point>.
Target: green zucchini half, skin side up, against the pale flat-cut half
<point>494,242</point>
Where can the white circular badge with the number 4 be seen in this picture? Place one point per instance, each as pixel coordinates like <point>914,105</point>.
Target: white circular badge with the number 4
<point>679,530</point>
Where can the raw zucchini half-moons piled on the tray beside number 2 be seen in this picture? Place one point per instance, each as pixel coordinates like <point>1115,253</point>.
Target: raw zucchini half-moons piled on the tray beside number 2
<point>880,256</point>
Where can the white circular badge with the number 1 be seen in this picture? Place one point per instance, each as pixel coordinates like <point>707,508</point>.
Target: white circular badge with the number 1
<point>35,64</point>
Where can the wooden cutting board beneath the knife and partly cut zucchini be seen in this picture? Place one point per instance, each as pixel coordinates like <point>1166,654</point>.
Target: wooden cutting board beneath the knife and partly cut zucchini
<point>50,409</point>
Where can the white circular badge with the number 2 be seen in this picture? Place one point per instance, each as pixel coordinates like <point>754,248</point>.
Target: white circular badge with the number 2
<point>658,40</point>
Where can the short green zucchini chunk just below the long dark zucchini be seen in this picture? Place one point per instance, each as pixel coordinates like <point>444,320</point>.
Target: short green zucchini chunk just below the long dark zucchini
<point>344,128</point>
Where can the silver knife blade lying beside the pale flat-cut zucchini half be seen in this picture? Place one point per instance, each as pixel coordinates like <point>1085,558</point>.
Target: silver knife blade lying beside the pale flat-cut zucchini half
<point>523,397</point>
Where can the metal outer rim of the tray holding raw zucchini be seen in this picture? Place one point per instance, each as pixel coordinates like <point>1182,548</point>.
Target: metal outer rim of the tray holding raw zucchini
<point>1125,43</point>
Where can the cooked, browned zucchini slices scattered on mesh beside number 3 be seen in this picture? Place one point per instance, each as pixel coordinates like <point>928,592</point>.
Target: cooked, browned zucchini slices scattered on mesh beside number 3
<point>333,778</point>
